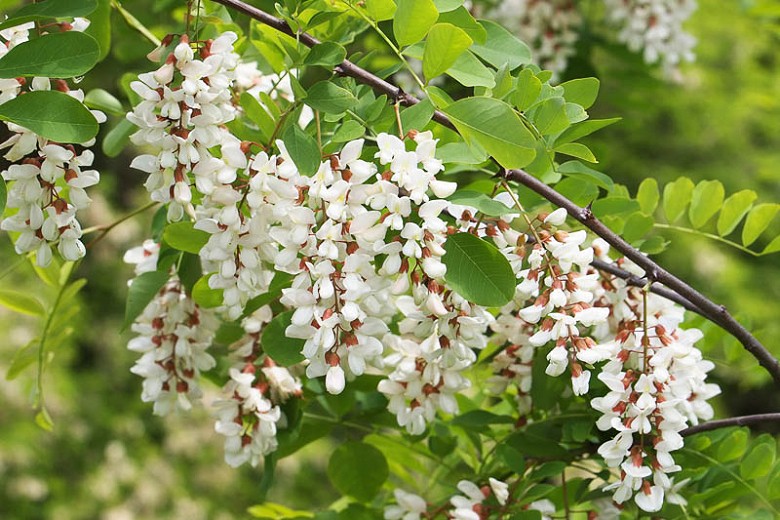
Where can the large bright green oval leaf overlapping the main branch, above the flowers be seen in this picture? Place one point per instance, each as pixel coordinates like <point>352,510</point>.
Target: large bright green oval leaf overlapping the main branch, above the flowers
<point>496,127</point>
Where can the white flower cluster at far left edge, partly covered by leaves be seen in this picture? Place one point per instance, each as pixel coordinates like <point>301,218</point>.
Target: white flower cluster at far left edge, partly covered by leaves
<point>49,179</point>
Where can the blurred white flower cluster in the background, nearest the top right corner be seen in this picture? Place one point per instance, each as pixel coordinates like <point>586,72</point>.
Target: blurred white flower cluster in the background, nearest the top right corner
<point>654,27</point>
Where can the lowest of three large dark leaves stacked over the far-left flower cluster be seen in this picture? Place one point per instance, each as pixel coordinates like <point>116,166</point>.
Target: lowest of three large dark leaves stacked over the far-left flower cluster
<point>51,114</point>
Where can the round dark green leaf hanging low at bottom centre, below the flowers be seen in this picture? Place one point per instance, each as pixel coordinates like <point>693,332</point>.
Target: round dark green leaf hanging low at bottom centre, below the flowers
<point>358,469</point>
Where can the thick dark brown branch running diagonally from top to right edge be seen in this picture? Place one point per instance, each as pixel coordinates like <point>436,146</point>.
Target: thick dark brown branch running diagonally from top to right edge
<point>703,305</point>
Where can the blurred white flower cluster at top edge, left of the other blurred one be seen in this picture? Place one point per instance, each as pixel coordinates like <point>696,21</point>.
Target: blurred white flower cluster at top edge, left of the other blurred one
<point>549,27</point>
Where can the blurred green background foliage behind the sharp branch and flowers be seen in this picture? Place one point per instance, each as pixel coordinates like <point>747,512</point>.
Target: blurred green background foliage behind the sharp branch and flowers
<point>109,458</point>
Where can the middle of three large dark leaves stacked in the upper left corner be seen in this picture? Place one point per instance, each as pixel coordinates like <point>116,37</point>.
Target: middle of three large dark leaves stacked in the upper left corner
<point>55,55</point>
